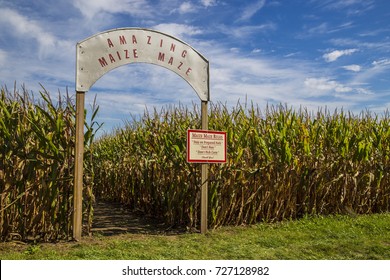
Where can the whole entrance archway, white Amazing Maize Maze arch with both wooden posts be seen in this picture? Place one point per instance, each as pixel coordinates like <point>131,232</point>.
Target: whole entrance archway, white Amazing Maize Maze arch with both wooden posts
<point>97,55</point>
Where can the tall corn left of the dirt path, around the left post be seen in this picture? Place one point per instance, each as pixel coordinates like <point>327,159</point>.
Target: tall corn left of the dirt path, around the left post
<point>36,166</point>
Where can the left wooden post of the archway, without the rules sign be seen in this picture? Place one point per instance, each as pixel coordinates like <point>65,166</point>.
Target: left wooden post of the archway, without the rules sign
<point>78,169</point>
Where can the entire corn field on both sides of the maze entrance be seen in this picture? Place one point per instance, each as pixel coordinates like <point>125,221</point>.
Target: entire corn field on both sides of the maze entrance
<point>282,164</point>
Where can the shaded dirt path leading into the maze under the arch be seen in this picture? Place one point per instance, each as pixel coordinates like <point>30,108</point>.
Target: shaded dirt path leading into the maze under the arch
<point>113,218</point>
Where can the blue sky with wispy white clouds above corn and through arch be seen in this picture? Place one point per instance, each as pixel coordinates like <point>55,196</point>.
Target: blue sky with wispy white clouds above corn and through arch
<point>303,53</point>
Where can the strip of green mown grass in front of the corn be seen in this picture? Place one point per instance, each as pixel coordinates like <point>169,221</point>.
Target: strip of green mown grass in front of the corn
<point>318,238</point>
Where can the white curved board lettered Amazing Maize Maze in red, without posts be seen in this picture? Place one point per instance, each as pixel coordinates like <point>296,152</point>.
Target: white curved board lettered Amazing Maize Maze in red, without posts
<point>107,50</point>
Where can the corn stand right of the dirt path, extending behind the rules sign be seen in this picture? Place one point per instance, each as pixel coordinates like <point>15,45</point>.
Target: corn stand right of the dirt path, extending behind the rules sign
<point>282,164</point>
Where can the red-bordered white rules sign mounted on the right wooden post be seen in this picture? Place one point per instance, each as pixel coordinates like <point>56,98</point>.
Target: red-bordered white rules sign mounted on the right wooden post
<point>205,146</point>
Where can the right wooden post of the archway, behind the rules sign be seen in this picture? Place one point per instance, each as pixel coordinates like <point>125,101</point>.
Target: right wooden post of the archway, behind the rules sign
<point>204,178</point>
